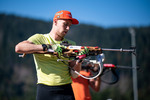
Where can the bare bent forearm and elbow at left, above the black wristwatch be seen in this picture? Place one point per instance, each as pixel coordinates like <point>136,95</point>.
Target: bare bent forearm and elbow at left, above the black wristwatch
<point>27,47</point>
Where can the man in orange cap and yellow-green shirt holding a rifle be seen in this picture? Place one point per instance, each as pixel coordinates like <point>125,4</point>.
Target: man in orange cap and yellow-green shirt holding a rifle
<point>54,79</point>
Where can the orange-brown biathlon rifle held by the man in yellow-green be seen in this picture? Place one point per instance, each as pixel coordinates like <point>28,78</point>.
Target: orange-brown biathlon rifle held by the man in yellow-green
<point>69,50</point>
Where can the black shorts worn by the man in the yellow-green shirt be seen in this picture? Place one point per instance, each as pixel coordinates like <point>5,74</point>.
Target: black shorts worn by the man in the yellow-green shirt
<point>63,92</point>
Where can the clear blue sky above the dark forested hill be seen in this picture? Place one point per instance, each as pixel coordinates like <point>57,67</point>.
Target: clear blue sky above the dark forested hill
<point>106,13</point>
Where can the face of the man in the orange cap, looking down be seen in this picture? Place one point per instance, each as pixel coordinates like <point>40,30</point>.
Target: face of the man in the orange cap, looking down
<point>63,27</point>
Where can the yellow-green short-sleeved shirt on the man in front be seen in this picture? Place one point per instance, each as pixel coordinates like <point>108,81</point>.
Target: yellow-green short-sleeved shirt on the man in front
<point>49,71</point>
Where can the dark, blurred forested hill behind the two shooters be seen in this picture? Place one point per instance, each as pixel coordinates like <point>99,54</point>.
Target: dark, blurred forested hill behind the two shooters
<point>18,75</point>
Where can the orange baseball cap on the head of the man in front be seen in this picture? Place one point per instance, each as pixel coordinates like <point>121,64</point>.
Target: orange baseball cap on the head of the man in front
<point>63,14</point>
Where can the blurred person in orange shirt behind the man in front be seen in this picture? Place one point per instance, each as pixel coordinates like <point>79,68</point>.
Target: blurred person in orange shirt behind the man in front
<point>81,86</point>
